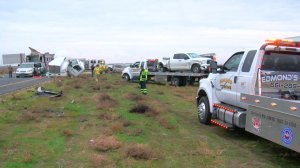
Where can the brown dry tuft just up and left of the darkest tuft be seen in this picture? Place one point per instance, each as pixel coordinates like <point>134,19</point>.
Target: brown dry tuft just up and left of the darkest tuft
<point>104,101</point>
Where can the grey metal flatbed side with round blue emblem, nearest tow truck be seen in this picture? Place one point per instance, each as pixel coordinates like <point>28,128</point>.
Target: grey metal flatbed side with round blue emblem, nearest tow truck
<point>279,123</point>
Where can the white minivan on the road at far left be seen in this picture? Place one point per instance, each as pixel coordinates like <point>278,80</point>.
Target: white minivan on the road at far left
<point>30,69</point>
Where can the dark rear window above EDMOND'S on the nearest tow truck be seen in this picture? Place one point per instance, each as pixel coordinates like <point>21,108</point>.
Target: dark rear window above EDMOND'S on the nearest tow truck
<point>281,61</point>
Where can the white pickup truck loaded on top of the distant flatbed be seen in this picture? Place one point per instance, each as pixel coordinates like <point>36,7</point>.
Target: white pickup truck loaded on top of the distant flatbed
<point>185,62</point>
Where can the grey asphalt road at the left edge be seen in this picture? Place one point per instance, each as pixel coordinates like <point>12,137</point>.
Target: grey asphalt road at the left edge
<point>12,84</point>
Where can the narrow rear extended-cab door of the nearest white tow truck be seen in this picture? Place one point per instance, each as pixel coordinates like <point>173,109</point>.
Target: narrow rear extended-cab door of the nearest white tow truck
<point>245,77</point>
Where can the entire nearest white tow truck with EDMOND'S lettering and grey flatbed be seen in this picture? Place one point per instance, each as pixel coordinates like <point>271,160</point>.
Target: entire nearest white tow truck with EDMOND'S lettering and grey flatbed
<point>256,90</point>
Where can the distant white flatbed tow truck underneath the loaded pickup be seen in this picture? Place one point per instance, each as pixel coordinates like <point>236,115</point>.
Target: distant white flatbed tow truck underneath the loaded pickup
<point>175,78</point>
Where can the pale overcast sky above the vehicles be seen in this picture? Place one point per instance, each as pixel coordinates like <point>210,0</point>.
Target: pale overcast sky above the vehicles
<point>129,30</point>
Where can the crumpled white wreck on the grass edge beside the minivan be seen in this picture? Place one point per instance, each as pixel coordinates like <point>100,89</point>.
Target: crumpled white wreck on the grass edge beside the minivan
<point>64,66</point>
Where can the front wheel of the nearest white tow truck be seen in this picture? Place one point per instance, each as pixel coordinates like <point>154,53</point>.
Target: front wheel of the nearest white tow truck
<point>204,114</point>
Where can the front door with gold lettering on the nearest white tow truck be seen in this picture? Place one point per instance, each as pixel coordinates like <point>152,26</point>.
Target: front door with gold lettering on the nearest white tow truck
<point>225,82</point>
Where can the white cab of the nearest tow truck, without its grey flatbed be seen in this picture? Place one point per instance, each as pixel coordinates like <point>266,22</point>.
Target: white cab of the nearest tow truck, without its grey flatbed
<point>275,66</point>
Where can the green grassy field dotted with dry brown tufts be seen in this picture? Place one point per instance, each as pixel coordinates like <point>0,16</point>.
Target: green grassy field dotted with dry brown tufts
<point>110,124</point>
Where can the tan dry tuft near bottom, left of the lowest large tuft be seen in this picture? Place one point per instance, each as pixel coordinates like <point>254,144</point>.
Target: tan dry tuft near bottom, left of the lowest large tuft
<point>106,143</point>
